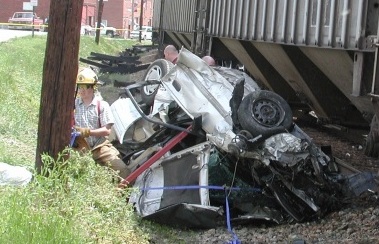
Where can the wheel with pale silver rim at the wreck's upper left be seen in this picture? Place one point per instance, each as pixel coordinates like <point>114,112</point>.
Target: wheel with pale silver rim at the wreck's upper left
<point>155,71</point>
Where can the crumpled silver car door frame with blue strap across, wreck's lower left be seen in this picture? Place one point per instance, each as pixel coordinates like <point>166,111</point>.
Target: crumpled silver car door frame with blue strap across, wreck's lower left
<point>151,183</point>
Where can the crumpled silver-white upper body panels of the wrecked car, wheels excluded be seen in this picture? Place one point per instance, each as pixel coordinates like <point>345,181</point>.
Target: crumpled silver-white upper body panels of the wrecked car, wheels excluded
<point>199,90</point>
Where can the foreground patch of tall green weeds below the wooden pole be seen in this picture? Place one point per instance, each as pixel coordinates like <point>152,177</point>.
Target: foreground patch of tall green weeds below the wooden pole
<point>74,202</point>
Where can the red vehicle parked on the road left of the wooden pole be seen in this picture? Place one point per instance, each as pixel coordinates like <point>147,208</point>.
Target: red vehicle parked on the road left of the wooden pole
<point>24,21</point>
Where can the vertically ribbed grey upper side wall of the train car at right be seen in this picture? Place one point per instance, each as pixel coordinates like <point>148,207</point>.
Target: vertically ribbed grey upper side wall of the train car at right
<point>322,23</point>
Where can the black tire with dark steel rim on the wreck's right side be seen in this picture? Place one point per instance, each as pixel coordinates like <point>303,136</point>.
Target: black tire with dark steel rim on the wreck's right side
<point>264,113</point>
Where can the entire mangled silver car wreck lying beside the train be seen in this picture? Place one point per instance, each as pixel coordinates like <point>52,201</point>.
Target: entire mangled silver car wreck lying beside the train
<point>240,153</point>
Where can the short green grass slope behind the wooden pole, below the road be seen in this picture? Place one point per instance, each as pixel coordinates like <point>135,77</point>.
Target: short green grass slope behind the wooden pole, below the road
<point>21,64</point>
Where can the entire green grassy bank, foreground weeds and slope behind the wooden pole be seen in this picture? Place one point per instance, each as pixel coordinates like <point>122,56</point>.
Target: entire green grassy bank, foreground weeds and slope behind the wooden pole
<point>78,202</point>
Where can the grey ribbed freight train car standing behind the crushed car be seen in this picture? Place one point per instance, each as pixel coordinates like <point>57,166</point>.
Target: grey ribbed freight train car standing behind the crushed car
<point>319,55</point>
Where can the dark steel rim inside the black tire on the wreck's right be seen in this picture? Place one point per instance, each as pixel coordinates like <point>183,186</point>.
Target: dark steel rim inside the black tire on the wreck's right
<point>267,113</point>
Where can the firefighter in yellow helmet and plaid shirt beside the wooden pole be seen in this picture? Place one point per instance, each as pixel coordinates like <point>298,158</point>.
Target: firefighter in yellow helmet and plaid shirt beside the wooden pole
<point>94,119</point>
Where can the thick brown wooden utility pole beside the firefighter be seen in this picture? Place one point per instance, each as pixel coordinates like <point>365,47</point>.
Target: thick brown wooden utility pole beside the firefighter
<point>59,74</point>
